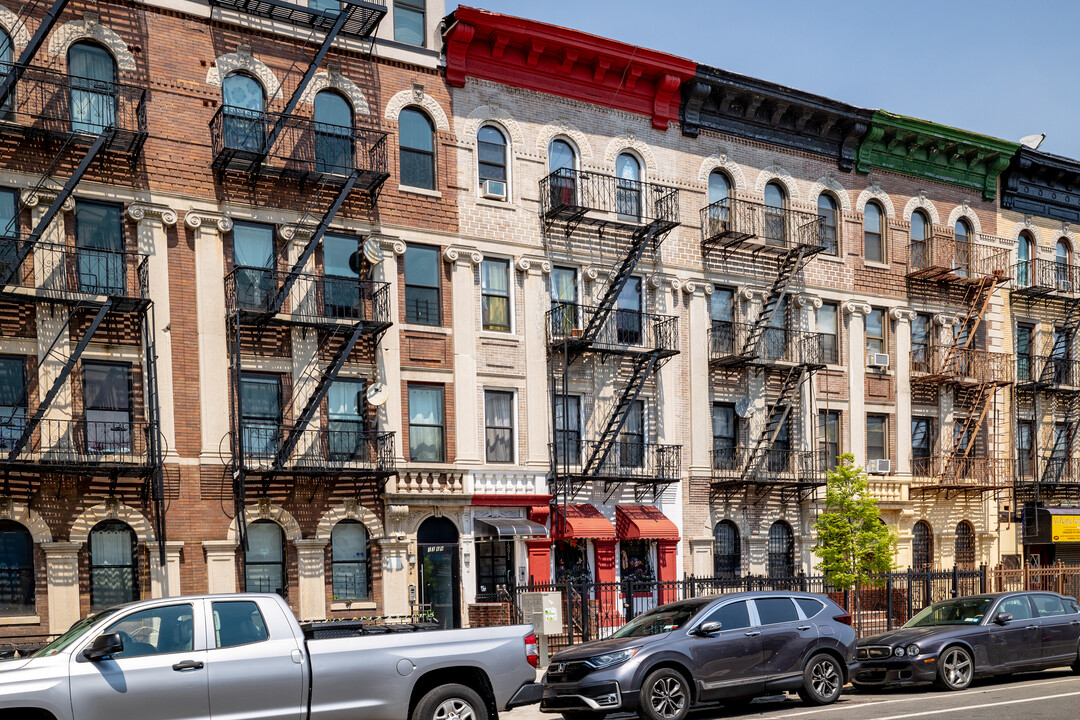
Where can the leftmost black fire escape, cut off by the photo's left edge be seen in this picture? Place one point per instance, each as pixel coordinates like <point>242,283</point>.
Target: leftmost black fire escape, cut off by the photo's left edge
<point>73,123</point>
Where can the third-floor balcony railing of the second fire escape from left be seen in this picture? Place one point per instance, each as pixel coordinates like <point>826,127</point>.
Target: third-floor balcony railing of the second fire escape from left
<point>314,300</point>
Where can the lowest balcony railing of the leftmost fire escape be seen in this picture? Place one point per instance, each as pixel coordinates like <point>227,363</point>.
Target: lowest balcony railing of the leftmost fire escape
<point>77,445</point>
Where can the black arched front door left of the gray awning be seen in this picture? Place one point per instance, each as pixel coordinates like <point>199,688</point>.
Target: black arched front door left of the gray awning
<point>440,576</point>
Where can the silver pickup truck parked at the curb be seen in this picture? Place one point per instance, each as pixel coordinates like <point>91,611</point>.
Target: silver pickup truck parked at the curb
<point>240,657</point>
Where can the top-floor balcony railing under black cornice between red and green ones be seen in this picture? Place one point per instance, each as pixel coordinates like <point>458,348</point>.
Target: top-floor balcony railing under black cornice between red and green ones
<point>731,222</point>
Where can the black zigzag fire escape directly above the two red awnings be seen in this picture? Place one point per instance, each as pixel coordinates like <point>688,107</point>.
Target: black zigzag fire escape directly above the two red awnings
<point>583,212</point>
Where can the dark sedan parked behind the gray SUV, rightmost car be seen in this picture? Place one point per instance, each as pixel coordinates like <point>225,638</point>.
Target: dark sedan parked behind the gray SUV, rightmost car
<point>953,643</point>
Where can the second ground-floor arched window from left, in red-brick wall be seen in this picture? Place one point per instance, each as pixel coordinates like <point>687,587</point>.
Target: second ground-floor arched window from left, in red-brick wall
<point>114,565</point>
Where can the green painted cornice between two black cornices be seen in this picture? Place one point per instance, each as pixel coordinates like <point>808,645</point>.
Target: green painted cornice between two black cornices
<point>937,153</point>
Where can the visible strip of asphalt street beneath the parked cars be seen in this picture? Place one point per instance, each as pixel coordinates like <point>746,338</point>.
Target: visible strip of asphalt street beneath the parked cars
<point>1052,696</point>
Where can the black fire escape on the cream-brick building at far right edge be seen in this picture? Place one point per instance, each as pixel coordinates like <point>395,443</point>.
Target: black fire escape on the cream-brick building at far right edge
<point>1048,388</point>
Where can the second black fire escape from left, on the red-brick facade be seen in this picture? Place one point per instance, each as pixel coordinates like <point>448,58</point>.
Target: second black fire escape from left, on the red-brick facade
<point>345,317</point>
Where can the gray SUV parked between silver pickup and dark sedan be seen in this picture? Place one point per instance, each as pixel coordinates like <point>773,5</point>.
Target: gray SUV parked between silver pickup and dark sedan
<point>726,649</point>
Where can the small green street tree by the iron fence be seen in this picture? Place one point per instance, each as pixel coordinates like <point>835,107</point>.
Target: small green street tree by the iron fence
<point>855,547</point>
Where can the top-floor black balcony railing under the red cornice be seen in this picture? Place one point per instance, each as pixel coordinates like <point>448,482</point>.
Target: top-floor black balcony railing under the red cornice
<point>571,195</point>
